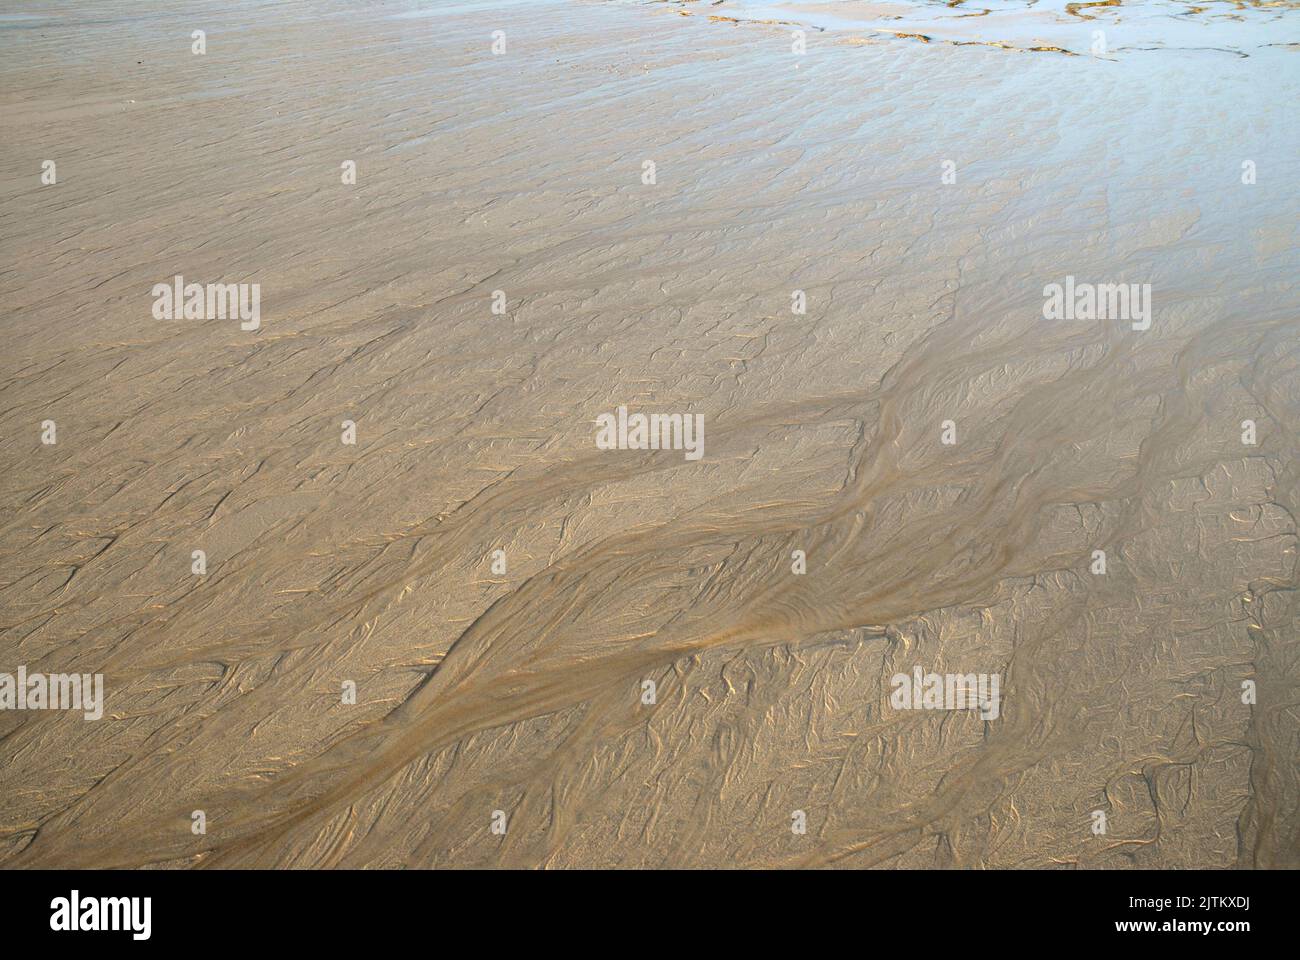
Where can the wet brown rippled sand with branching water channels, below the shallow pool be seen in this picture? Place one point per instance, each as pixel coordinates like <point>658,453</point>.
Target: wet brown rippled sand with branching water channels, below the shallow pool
<point>522,693</point>
